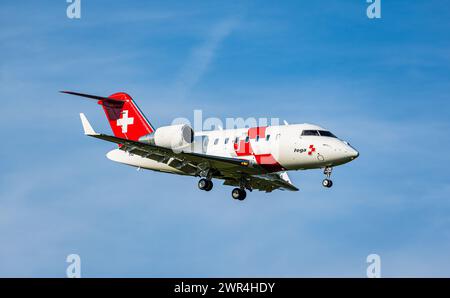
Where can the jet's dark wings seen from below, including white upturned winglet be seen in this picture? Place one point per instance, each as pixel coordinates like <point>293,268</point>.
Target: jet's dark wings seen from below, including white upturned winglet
<point>229,169</point>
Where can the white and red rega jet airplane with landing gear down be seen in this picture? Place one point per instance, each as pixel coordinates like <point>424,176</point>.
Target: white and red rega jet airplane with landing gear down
<point>255,158</point>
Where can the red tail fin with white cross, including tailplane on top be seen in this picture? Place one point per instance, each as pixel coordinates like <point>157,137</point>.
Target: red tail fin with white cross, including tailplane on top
<point>124,116</point>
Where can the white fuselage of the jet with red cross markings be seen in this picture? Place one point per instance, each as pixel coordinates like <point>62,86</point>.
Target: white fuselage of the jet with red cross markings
<point>275,148</point>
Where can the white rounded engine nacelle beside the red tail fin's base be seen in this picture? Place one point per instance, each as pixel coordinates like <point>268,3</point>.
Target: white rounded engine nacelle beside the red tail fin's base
<point>173,136</point>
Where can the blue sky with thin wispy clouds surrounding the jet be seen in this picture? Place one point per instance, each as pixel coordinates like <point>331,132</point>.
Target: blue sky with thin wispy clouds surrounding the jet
<point>383,85</point>
